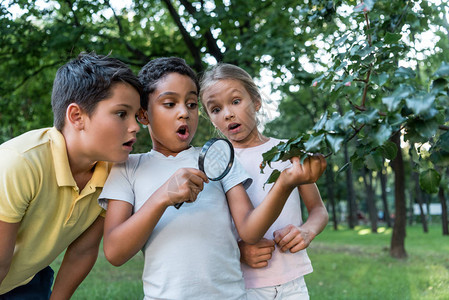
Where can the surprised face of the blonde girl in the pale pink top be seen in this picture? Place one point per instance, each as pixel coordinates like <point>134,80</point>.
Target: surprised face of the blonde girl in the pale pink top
<point>233,111</point>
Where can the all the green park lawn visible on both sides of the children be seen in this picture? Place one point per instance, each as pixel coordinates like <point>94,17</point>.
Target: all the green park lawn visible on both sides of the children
<point>348,264</point>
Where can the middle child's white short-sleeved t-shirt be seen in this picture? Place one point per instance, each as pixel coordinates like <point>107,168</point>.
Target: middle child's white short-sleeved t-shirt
<point>192,252</point>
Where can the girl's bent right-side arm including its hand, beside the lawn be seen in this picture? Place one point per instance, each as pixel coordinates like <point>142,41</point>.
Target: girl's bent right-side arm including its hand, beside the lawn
<point>295,238</point>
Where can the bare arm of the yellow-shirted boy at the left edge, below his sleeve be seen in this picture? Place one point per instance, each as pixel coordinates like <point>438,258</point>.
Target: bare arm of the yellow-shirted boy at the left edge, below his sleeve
<point>8,234</point>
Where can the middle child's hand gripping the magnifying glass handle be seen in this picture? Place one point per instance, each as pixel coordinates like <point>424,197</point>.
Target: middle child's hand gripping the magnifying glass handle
<point>184,185</point>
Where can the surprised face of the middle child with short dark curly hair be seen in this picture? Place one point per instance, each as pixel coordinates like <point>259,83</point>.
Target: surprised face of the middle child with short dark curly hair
<point>172,114</point>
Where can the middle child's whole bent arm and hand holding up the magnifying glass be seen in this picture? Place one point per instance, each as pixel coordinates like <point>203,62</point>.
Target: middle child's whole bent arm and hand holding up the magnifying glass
<point>125,233</point>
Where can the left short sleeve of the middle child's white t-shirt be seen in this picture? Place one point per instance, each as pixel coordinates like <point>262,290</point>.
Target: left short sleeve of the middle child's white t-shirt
<point>118,186</point>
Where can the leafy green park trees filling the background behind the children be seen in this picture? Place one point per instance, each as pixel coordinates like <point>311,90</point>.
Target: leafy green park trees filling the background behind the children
<point>365,81</point>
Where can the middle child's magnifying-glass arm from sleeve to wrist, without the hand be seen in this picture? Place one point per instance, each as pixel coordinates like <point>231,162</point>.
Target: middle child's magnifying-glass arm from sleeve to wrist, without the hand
<point>126,235</point>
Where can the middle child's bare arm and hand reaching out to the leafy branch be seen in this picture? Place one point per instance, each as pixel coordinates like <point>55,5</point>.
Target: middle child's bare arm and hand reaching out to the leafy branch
<point>252,223</point>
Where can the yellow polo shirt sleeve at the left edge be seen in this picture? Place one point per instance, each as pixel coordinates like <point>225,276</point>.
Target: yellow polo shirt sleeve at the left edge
<point>19,183</point>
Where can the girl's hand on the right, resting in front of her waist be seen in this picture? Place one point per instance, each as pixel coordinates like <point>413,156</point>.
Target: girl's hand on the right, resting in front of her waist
<point>293,238</point>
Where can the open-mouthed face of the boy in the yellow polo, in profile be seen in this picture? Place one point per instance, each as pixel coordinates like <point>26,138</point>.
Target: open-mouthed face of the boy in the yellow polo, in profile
<point>110,132</point>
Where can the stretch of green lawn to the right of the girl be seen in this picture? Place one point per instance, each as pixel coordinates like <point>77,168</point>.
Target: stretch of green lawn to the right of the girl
<point>355,264</point>
